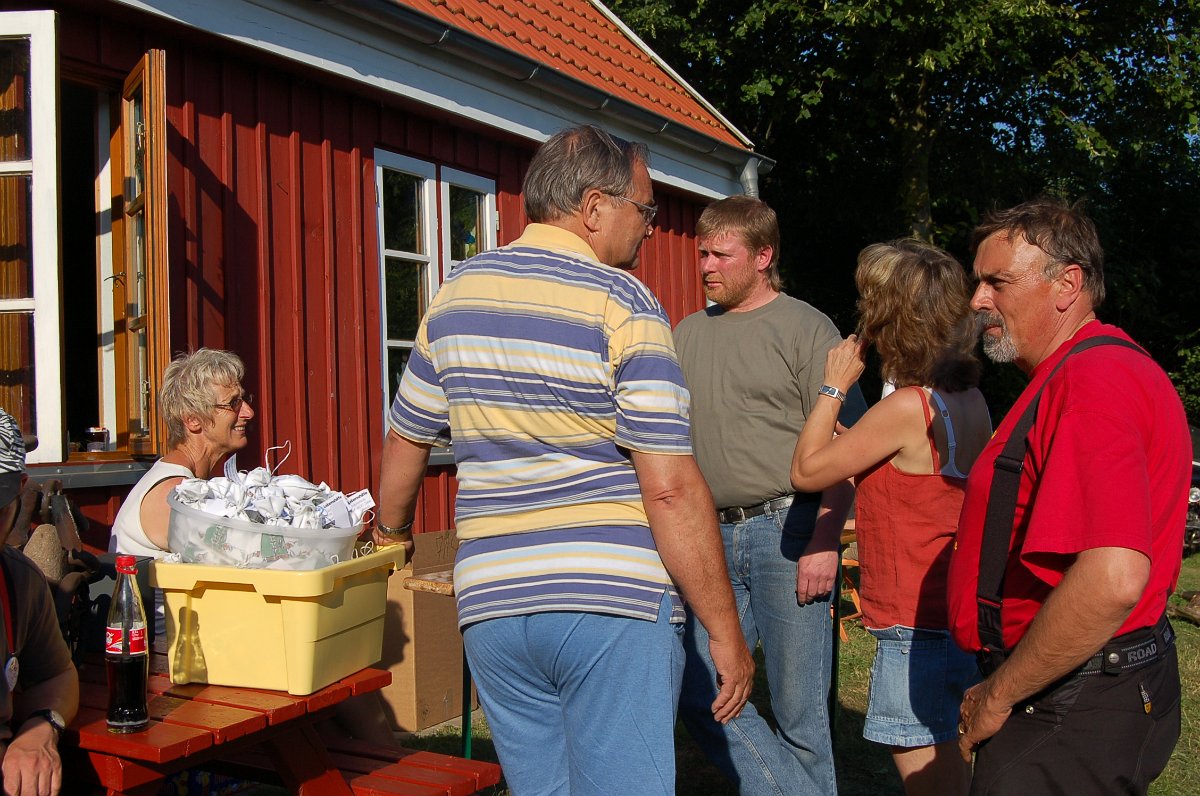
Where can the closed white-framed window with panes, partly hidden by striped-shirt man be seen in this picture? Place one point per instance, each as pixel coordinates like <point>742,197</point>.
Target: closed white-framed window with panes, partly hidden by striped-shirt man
<point>430,219</point>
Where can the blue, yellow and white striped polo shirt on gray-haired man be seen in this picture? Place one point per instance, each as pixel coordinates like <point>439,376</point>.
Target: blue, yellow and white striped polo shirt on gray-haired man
<point>545,367</point>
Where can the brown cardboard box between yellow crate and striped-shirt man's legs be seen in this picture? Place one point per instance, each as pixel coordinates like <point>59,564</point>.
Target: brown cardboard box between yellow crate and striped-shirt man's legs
<point>422,644</point>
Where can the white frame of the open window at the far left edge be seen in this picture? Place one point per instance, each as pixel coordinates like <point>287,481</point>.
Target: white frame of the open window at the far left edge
<point>39,27</point>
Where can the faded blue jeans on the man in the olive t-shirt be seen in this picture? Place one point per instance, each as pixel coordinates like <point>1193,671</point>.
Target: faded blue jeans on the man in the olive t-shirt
<point>797,645</point>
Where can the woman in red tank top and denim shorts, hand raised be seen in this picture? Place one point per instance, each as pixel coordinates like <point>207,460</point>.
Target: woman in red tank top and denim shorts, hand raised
<point>909,457</point>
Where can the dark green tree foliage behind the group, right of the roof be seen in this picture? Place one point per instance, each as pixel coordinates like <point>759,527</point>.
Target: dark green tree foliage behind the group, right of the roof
<point>902,117</point>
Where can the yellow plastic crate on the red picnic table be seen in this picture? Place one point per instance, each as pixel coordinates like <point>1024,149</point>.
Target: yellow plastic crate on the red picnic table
<point>285,631</point>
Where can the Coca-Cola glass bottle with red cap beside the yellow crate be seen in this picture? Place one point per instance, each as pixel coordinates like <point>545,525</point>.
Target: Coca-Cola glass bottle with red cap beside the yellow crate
<point>127,654</point>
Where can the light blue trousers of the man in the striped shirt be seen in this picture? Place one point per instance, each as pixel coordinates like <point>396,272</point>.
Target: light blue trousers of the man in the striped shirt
<point>580,704</point>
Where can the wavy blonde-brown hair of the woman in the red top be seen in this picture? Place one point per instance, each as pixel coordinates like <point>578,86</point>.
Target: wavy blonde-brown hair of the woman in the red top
<point>914,307</point>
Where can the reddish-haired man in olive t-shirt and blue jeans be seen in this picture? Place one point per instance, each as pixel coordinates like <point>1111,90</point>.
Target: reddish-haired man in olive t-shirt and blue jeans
<point>754,363</point>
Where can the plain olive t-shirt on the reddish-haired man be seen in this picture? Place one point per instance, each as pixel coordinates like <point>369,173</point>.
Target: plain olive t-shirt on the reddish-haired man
<point>753,378</point>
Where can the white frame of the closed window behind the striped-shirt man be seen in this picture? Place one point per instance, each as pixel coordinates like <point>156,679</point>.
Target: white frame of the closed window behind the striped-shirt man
<point>436,207</point>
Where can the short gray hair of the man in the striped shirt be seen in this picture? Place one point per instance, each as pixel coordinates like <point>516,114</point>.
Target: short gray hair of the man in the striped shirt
<point>575,161</point>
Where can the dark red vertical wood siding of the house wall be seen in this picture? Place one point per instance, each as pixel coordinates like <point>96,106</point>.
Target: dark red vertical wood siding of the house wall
<point>273,241</point>
